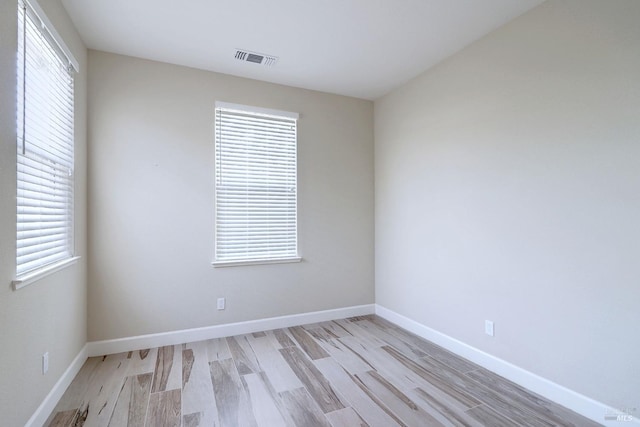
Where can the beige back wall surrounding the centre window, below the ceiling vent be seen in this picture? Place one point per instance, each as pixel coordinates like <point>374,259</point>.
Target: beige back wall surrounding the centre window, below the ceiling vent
<point>151,201</point>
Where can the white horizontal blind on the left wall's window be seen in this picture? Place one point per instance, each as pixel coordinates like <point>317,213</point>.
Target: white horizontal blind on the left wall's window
<point>45,147</point>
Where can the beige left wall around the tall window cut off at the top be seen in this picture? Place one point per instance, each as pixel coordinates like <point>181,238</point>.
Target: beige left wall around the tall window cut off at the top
<point>49,315</point>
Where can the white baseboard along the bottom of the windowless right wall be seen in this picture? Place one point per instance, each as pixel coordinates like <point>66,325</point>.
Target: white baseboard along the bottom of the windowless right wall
<point>577,402</point>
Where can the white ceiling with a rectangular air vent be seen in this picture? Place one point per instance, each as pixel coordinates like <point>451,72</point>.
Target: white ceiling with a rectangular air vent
<point>361,48</point>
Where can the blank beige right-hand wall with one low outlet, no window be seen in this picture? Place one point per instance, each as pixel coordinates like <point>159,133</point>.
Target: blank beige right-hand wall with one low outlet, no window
<point>508,188</point>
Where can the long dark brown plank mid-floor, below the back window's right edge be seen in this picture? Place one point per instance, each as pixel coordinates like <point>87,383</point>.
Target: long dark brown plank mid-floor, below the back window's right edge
<point>317,385</point>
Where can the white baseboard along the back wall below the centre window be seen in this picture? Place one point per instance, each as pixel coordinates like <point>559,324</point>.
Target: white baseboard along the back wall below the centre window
<point>99,348</point>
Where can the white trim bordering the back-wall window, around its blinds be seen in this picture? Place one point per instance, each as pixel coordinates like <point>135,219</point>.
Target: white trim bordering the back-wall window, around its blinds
<point>255,261</point>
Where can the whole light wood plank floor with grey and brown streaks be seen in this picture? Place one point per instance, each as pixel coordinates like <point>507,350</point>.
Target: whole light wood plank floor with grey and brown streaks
<point>361,371</point>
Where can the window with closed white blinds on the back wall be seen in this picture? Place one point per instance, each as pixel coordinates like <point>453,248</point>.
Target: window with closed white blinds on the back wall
<point>255,185</point>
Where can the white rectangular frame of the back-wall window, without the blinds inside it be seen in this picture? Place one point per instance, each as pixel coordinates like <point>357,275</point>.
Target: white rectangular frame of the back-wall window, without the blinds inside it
<point>262,113</point>
